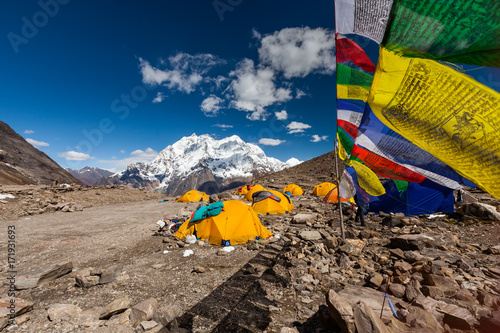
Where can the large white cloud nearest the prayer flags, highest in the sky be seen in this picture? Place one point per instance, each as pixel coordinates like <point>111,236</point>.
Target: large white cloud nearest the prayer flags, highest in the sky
<point>298,52</point>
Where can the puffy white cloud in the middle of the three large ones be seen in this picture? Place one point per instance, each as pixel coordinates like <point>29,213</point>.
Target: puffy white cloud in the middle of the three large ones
<point>254,89</point>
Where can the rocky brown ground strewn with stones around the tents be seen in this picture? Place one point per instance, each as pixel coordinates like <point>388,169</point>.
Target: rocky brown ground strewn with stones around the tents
<point>108,268</point>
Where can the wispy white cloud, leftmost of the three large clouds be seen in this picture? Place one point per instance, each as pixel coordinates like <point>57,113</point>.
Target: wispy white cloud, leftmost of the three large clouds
<point>184,74</point>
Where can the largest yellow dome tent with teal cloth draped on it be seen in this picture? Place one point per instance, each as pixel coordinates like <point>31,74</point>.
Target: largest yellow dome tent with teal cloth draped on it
<point>237,223</point>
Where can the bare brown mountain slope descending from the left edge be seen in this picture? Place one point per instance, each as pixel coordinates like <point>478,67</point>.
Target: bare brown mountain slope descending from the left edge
<point>21,163</point>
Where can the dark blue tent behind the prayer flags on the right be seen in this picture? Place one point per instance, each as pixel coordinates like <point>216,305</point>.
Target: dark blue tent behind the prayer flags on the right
<point>424,198</point>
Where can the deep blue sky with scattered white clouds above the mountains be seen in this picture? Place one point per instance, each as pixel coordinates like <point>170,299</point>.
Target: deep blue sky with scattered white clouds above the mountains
<point>106,83</point>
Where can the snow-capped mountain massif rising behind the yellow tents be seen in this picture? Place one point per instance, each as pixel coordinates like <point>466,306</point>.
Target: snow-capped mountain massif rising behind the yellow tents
<point>202,163</point>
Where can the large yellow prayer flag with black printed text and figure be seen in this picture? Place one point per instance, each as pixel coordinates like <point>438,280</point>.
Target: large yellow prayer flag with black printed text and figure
<point>442,111</point>
